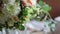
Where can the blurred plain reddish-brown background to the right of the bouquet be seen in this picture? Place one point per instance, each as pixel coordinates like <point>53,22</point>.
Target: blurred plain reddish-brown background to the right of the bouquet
<point>55,12</point>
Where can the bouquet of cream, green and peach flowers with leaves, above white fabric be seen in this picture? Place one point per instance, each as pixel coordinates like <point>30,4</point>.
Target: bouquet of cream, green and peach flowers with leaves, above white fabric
<point>14,13</point>
